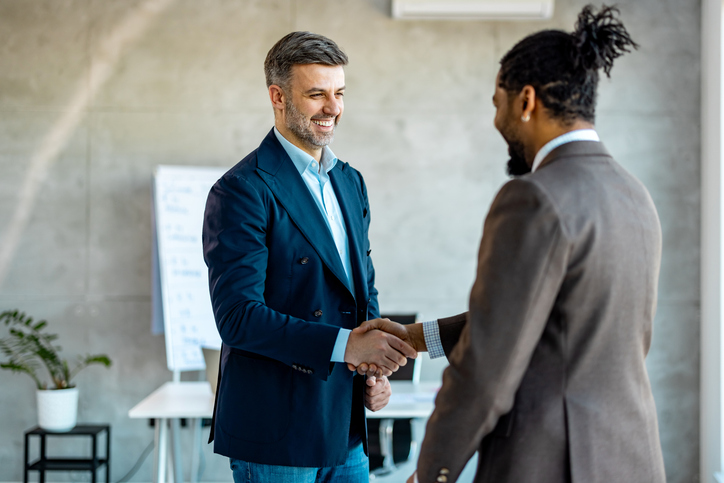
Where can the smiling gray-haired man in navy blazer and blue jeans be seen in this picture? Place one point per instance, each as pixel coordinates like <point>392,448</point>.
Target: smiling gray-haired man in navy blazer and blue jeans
<point>286,243</point>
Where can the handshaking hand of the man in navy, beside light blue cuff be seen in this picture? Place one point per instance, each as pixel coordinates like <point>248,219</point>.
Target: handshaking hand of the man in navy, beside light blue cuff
<point>384,350</point>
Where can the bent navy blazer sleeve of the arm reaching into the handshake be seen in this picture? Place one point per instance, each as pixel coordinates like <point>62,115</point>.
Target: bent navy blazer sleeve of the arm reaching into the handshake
<point>236,253</point>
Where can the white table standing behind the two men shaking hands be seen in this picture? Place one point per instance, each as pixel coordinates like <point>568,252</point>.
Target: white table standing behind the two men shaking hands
<point>194,400</point>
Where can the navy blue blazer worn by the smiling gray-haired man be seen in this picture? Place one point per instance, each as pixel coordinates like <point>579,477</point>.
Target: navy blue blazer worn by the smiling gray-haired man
<point>280,294</point>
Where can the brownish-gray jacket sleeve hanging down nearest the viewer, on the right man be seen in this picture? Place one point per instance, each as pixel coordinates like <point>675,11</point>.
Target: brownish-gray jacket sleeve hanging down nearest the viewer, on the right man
<point>521,264</point>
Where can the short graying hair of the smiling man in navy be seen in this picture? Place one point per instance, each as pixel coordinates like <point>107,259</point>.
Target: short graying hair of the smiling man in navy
<point>300,48</point>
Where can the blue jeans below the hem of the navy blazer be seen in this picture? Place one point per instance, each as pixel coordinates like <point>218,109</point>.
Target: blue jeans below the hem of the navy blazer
<point>354,470</point>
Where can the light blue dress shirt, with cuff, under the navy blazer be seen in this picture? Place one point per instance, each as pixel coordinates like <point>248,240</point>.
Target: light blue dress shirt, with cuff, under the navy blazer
<point>320,187</point>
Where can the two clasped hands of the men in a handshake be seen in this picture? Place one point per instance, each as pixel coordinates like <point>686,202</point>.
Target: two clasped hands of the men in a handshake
<point>379,347</point>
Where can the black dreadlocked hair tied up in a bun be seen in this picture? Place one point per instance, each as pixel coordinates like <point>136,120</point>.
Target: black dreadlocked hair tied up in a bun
<point>563,67</point>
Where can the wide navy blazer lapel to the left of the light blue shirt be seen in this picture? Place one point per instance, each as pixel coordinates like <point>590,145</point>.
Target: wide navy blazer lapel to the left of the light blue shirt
<point>279,173</point>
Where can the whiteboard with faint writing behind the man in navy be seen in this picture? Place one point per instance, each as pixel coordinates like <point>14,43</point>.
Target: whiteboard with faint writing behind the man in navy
<point>181,282</point>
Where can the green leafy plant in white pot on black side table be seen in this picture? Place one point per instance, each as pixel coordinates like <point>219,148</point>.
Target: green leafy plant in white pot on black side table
<point>29,349</point>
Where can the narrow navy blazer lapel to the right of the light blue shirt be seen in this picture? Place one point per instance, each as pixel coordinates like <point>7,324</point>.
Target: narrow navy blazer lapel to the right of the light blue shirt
<point>351,206</point>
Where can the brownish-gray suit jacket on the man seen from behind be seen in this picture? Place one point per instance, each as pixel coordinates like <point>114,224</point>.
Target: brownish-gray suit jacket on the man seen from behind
<point>547,379</point>
